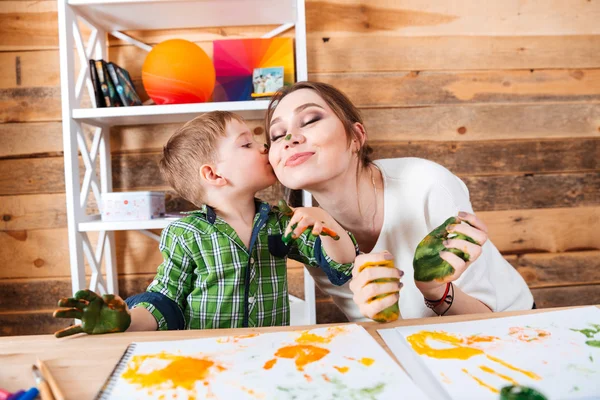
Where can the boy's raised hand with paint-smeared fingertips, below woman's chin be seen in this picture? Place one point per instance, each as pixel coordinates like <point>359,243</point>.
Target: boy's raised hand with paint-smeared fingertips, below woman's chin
<point>303,218</point>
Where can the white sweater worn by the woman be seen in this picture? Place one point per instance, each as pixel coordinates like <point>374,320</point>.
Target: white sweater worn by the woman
<point>419,195</point>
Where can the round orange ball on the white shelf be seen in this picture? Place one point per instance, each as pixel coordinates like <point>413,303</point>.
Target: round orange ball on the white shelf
<point>178,71</point>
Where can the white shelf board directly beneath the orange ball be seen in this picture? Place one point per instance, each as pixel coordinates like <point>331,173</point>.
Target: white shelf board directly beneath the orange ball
<point>171,113</point>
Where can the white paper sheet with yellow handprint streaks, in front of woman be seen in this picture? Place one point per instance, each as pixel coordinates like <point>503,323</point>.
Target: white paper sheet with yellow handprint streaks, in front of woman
<point>557,353</point>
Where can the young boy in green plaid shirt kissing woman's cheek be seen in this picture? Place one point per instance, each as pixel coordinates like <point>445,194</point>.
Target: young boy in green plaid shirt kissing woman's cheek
<point>225,264</point>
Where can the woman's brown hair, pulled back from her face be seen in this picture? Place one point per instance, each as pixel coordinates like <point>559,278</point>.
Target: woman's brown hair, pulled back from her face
<point>339,103</point>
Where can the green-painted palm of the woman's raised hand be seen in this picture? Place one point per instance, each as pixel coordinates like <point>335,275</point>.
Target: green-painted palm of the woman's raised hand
<point>427,264</point>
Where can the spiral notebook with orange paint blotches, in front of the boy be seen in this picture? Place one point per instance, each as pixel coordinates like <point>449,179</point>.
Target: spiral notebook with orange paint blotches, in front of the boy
<point>334,362</point>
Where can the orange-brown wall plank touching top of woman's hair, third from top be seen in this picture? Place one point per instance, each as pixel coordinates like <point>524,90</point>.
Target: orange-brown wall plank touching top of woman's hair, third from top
<point>414,88</point>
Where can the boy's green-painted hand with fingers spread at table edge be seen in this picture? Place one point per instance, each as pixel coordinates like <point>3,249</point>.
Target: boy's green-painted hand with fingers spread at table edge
<point>106,314</point>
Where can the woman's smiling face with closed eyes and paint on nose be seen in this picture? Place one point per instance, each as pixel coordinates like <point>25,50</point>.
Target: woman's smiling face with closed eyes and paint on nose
<point>308,141</point>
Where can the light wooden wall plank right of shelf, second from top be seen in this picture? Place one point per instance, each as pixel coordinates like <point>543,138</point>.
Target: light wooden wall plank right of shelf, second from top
<point>363,53</point>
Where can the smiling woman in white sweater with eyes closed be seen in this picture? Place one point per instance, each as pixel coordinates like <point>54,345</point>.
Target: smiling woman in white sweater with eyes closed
<point>318,143</point>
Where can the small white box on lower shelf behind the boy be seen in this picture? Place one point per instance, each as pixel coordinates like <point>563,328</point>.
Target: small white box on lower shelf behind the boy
<point>132,206</point>
